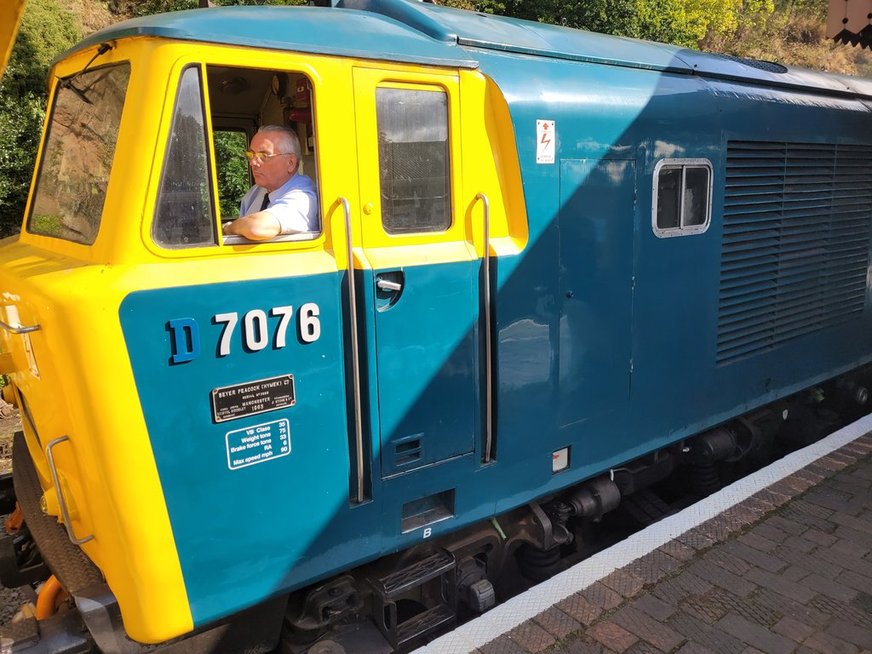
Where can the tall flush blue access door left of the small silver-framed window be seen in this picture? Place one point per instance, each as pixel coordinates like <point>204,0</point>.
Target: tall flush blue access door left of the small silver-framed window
<point>596,295</point>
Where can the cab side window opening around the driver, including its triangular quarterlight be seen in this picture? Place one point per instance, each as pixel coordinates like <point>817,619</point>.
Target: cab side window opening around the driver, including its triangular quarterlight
<point>237,101</point>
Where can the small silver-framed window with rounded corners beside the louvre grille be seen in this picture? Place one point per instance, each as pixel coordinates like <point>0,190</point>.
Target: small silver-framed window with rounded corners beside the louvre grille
<point>682,197</point>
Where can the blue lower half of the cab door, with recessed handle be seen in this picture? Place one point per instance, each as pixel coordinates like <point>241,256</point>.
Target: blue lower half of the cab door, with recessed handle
<point>425,366</point>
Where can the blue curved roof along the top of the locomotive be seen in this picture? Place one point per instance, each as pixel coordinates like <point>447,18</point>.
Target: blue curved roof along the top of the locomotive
<point>416,32</point>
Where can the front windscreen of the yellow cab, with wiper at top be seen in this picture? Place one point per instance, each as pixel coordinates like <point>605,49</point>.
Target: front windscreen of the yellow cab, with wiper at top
<point>77,155</point>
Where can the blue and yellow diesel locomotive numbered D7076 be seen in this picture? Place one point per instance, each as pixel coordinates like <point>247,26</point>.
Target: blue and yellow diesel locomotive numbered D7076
<point>554,268</point>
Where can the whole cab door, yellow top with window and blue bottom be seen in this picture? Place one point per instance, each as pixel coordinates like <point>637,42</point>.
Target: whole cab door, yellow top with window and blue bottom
<point>424,298</point>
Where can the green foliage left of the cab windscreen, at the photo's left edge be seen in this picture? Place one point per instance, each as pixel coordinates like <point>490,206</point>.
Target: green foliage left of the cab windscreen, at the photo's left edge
<point>46,30</point>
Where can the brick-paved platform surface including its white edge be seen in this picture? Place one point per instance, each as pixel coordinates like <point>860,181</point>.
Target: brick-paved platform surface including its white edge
<point>787,569</point>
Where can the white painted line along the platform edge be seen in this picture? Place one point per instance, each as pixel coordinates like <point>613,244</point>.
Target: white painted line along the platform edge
<point>509,615</point>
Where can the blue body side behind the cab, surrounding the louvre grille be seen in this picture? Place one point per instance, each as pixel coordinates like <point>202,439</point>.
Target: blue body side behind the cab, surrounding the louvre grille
<point>607,116</point>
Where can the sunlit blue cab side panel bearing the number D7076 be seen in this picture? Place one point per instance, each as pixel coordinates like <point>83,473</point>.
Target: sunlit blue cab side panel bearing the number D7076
<point>237,530</point>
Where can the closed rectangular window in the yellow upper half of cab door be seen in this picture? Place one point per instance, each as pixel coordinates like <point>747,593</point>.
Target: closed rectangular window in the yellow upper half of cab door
<point>413,160</point>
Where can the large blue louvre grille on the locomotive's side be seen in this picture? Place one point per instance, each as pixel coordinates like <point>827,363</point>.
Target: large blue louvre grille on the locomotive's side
<point>795,252</point>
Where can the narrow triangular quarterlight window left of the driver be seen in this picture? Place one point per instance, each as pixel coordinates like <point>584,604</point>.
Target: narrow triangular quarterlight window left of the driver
<point>184,216</point>
